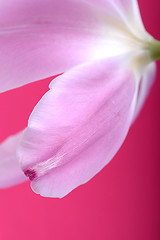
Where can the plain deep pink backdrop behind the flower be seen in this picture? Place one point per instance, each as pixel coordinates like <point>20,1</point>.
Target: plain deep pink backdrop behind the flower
<point>120,203</point>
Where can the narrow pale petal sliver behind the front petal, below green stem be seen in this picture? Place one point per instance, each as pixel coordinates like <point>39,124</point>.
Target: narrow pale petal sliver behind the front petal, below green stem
<point>145,86</point>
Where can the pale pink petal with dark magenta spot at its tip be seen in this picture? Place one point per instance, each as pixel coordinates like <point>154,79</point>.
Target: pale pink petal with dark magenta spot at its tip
<point>78,126</point>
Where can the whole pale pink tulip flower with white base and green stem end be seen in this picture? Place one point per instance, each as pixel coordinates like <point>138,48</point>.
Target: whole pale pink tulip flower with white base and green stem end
<point>108,60</point>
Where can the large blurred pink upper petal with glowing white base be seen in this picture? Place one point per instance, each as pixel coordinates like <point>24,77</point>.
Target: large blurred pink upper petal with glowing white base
<point>39,38</point>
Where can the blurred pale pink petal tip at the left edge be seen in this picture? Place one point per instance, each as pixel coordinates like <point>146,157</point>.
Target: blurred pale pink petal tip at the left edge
<point>10,171</point>
